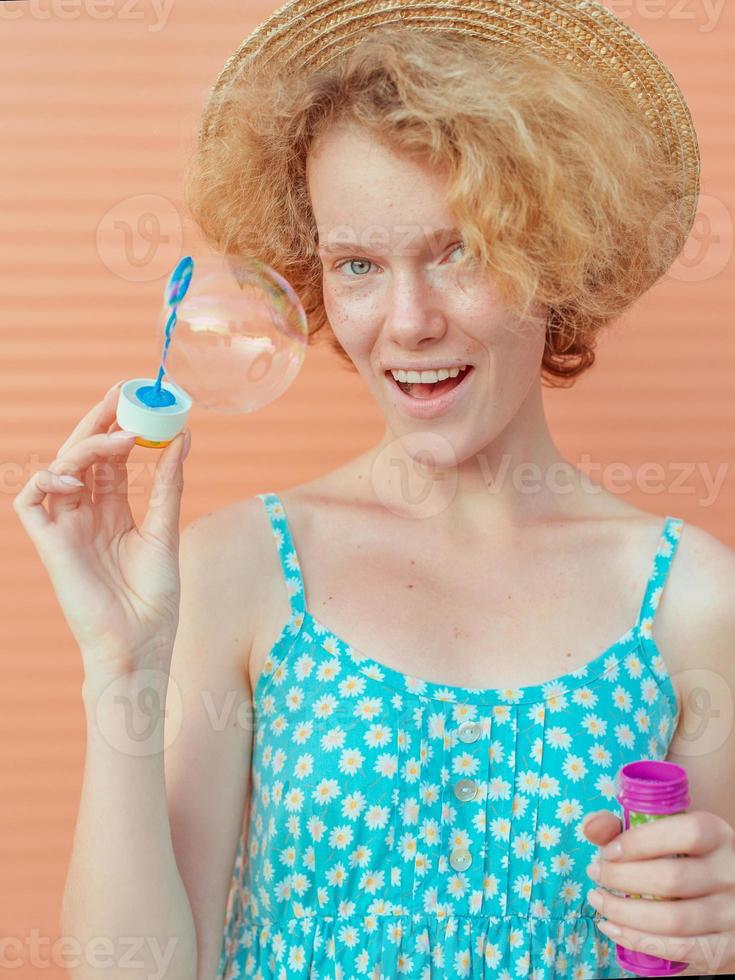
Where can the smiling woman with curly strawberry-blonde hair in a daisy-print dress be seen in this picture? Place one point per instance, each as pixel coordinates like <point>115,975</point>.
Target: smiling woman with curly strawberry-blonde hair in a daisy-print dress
<point>439,205</point>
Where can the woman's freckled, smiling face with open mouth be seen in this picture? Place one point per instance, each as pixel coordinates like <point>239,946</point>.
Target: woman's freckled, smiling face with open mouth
<point>396,297</point>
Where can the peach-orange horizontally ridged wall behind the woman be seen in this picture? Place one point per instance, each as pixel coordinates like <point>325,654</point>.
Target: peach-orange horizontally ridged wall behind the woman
<point>99,110</point>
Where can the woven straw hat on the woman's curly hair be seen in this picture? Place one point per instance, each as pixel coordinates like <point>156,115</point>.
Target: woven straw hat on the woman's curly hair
<point>307,34</point>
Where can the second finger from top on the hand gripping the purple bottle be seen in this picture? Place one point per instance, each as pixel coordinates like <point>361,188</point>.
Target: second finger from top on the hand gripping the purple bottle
<point>666,877</point>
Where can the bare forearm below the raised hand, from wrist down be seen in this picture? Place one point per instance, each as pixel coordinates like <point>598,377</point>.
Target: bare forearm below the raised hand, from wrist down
<point>125,904</point>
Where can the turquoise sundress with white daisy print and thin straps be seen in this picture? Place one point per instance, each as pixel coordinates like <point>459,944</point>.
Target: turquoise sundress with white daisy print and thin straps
<point>400,828</point>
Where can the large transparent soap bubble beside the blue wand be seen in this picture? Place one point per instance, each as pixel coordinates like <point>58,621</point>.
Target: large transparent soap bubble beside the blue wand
<point>239,337</point>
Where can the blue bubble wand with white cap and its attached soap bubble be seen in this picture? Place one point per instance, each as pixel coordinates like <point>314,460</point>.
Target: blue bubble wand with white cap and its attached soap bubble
<point>241,336</point>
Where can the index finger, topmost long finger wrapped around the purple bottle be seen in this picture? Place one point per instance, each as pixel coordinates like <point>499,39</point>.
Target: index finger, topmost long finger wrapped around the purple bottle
<point>692,833</point>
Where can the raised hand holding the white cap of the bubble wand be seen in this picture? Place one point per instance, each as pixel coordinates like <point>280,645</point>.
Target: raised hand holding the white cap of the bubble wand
<point>118,585</point>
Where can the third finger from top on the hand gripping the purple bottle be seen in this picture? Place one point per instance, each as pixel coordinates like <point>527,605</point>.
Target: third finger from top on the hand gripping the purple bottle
<point>687,917</point>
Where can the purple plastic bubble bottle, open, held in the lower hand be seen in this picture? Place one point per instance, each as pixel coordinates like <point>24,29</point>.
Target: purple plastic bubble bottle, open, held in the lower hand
<point>649,790</point>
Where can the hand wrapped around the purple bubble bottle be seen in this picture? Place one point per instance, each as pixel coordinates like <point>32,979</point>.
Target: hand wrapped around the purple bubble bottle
<point>694,922</point>
